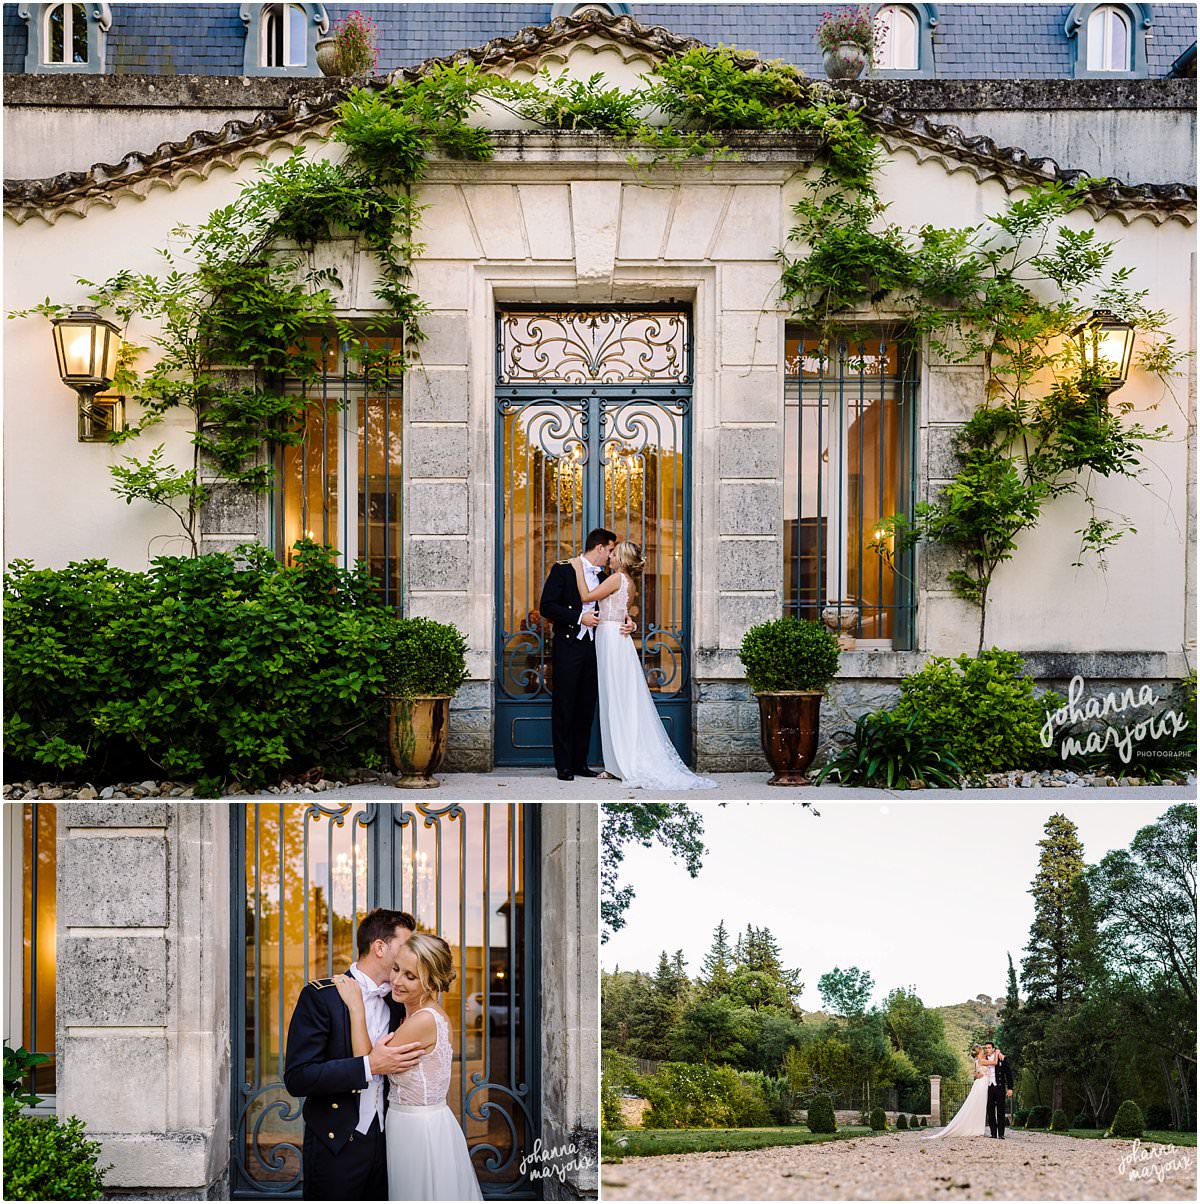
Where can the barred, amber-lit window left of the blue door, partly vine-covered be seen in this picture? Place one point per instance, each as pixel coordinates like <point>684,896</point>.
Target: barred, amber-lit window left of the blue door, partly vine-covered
<point>342,483</point>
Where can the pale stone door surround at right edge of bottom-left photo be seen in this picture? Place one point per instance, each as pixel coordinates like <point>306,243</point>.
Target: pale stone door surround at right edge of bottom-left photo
<point>570,953</point>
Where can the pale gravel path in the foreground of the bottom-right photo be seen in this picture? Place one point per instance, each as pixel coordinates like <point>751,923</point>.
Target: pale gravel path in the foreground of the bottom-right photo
<point>902,1167</point>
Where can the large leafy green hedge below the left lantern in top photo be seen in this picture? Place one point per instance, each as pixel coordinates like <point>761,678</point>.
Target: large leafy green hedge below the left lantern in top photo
<point>214,668</point>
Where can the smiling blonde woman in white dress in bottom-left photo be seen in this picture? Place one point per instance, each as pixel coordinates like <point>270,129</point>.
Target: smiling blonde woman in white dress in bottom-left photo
<point>428,1156</point>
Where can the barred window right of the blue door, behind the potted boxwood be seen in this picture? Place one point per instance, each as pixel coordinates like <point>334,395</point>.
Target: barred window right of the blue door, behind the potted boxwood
<point>850,439</point>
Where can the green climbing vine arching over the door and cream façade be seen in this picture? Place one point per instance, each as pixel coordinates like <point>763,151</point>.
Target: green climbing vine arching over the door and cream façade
<point>239,293</point>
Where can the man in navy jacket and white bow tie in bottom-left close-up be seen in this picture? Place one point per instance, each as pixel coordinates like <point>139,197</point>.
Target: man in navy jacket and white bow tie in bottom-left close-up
<point>346,1096</point>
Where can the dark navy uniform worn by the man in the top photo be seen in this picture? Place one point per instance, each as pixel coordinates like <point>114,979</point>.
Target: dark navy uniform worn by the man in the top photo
<point>574,706</point>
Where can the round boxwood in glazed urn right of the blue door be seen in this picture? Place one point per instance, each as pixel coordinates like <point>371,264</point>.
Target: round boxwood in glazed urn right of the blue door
<point>789,664</point>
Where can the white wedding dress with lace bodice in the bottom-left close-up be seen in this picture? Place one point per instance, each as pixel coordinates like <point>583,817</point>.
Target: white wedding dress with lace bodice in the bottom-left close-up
<point>428,1155</point>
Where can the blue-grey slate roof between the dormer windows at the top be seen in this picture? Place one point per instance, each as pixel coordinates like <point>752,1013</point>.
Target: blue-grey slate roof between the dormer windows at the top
<point>974,42</point>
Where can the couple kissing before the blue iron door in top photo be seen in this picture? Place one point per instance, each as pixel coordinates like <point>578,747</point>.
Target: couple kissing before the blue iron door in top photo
<point>588,599</point>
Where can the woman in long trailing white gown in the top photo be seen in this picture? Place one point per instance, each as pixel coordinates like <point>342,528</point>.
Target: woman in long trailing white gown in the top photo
<point>637,748</point>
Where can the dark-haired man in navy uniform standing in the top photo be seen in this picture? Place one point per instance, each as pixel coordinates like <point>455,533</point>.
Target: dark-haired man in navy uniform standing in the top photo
<point>575,654</point>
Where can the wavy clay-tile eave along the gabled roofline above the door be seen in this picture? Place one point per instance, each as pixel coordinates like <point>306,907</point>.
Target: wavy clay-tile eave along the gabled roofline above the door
<point>310,115</point>
